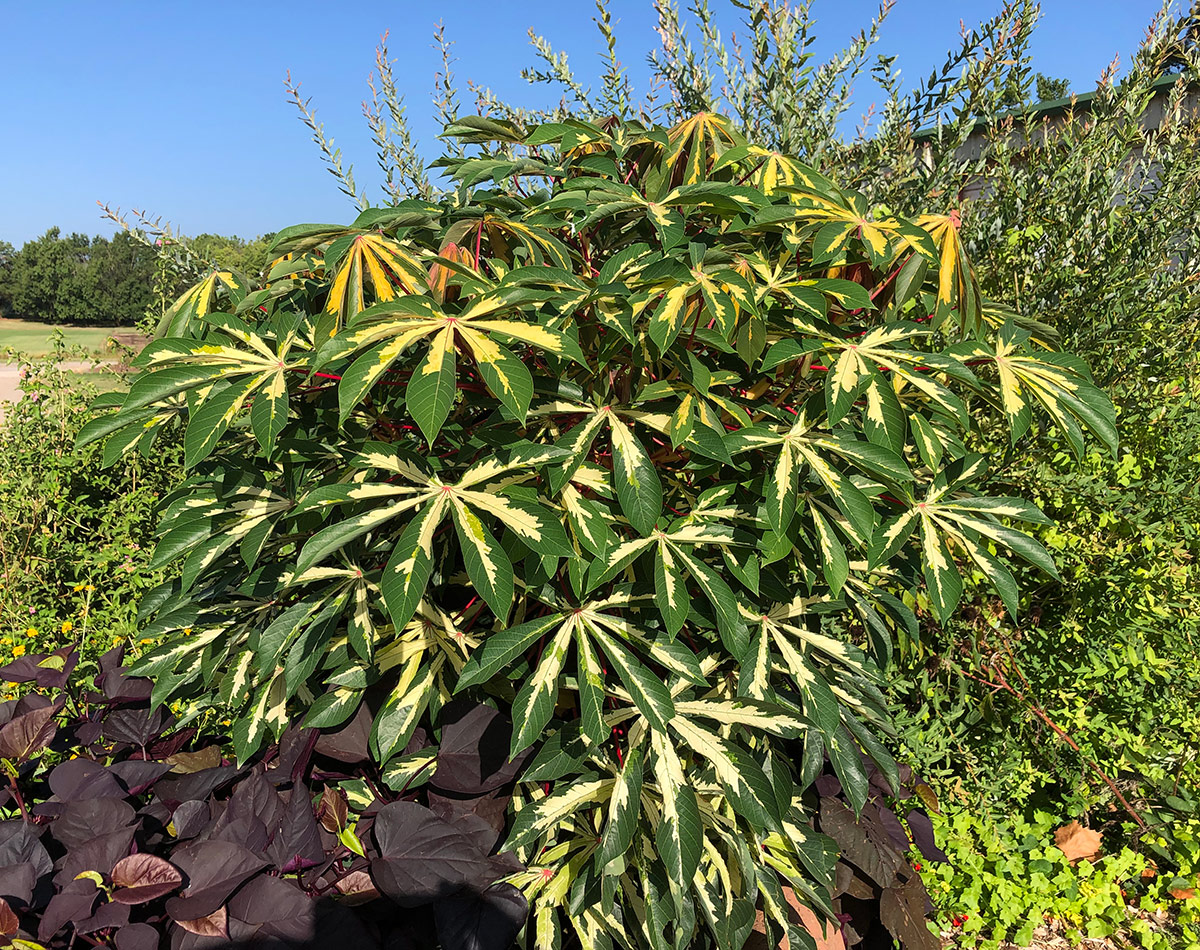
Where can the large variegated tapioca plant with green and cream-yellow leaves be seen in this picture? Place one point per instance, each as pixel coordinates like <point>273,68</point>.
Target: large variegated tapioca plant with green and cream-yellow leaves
<point>652,438</point>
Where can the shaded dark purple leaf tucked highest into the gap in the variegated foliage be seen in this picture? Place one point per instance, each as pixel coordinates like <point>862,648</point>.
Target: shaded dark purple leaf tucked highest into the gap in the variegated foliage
<point>473,756</point>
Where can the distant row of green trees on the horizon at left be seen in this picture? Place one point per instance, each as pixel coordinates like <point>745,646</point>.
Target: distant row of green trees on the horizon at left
<point>73,279</point>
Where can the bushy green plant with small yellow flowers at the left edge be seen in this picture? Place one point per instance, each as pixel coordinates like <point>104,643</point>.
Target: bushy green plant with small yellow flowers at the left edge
<point>76,530</point>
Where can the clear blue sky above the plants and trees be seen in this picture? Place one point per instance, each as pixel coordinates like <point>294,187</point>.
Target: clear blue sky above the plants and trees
<point>178,109</point>
